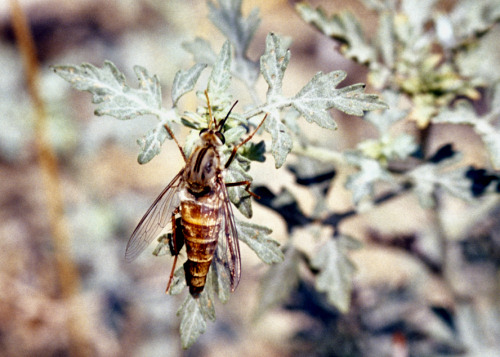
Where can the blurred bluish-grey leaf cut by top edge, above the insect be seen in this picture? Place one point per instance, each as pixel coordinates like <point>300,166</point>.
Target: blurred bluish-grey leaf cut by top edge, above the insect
<point>229,19</point>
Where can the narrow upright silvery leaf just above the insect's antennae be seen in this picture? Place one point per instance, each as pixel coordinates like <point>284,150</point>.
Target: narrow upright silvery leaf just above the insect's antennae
<point>220,78</point>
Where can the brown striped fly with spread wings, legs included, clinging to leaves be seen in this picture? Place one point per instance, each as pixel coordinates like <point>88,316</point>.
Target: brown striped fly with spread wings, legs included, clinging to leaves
<point>197,205</point>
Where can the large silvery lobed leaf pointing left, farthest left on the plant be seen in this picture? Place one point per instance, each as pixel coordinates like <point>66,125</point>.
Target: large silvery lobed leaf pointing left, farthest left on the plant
<point>110,91</point>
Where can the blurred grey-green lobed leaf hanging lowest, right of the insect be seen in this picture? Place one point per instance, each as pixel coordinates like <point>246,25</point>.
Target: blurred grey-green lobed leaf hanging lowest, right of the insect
<point>336,271</point>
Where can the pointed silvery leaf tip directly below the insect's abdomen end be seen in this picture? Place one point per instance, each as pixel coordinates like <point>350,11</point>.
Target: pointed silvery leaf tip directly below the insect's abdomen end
<point>193,323</point>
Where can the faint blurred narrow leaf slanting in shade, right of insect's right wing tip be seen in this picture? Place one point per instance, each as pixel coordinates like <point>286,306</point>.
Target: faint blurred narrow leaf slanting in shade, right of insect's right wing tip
<point>279,281</point>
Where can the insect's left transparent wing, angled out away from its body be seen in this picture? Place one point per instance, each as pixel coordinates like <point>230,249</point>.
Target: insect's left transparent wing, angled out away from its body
<point>155,219</point>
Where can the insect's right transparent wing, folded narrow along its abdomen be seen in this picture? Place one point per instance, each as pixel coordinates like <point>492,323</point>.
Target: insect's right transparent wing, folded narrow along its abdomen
<point>228,249</point>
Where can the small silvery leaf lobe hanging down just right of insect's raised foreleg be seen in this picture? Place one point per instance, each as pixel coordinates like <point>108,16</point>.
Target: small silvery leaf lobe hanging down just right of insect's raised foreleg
<point>281,139</point>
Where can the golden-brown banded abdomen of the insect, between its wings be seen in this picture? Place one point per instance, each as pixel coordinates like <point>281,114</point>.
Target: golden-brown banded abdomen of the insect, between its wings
<point>200,227</point>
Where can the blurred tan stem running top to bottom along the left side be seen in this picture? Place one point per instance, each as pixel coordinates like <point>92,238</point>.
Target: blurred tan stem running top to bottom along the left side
<point>68,275</point>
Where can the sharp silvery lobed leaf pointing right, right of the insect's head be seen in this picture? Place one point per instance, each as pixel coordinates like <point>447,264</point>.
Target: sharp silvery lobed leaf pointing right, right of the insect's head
<point>320,94</point>
